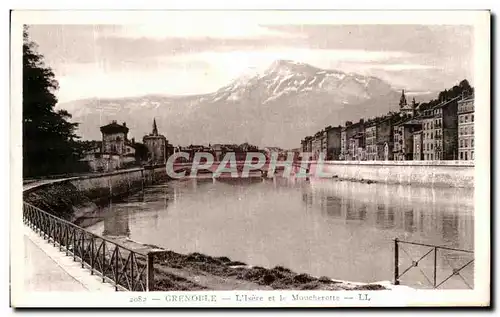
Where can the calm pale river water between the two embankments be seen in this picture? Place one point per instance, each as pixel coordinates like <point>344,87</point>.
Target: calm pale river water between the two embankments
<point>343,230</point>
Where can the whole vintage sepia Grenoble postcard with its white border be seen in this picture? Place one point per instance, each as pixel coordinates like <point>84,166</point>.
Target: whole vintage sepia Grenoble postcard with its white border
<point>250,158</point>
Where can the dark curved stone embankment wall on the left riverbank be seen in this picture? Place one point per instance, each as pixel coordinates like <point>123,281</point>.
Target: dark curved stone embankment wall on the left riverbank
<point>76,197</point>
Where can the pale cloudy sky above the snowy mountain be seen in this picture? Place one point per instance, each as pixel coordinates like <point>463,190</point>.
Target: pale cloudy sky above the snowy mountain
<point>180,57</point>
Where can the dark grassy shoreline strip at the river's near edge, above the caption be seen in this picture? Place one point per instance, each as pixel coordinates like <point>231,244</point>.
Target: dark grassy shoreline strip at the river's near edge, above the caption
<point>196,271</point>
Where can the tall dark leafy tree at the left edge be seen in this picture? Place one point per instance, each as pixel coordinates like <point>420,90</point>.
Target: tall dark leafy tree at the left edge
<point>48,137</point>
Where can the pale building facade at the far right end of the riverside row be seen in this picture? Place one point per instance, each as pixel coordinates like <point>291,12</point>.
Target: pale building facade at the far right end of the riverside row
<point>466,128</point>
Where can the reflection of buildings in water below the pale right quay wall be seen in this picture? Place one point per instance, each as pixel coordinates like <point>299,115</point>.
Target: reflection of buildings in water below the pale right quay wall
<point>406,209</point>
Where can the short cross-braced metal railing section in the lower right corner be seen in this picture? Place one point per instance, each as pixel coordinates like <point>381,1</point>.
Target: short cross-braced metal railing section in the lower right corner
<point>432,249</point>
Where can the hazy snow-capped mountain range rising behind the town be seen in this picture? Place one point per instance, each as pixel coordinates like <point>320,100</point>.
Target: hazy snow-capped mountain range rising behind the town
<point>279,106</point>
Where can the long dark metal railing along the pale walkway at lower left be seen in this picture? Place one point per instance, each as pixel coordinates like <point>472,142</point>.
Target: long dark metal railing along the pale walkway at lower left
<point>126,269</point>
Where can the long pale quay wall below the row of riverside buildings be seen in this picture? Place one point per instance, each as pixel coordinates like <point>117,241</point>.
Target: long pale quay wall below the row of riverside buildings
<point>426,173</point>
